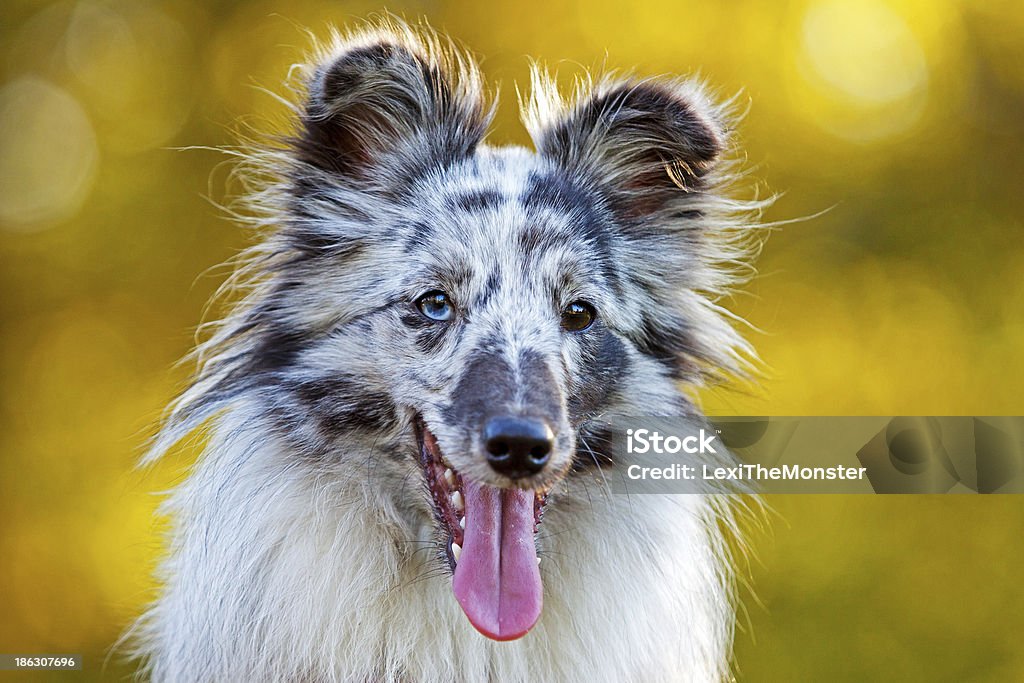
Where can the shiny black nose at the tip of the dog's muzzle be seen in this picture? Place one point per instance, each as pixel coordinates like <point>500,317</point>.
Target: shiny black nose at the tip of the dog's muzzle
<point>518,447</point>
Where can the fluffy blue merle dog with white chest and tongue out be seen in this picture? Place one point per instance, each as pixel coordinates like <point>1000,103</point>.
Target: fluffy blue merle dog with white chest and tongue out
<point>407,412</point>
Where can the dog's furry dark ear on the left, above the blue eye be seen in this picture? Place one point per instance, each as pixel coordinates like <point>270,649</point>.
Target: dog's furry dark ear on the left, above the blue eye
<point>383,106</point>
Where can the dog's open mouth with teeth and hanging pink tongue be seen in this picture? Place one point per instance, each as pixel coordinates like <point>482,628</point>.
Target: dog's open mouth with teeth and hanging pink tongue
<point>491,546</point>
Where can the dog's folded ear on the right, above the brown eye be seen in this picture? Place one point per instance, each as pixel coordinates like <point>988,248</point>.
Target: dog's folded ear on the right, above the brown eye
<point>646,143</point>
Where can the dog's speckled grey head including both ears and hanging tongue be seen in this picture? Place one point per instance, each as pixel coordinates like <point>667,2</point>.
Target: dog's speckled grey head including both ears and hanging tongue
<point>481,314</point>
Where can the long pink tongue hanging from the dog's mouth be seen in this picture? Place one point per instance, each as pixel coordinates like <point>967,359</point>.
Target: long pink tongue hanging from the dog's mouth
<point>497,580</point>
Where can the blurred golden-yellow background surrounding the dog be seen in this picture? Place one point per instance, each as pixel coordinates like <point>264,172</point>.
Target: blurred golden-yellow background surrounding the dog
<point>907,117</point>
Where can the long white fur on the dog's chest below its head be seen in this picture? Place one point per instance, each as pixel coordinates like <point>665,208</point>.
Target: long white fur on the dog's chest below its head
<point>633,586</point>
